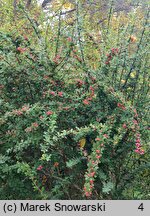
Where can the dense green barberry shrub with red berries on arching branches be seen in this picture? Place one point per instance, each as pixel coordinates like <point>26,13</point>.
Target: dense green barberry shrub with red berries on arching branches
<point>71,129</point>
